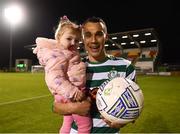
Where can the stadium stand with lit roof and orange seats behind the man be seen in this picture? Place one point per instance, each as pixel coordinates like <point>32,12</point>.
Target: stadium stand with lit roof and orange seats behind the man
<point>140,46</point>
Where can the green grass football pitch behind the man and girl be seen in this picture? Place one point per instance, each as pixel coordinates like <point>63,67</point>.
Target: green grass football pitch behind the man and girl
<point>25,105</point>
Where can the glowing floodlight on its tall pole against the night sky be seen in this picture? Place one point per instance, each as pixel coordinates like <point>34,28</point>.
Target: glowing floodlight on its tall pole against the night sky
<point>14,16</point>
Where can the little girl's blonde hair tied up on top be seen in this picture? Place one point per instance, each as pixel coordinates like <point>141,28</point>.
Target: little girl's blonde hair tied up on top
<point>64,24</point>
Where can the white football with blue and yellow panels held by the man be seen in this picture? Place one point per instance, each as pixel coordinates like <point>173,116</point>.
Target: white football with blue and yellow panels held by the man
<point>120,100</point>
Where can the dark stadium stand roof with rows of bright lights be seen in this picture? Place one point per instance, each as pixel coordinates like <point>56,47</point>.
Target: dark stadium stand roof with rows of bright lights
<point>142,38</point>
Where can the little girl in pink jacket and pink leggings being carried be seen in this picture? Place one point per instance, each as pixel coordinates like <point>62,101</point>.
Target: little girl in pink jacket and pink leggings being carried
<point>64,72</point>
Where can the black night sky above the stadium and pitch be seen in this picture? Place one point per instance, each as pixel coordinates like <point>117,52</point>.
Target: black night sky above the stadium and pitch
<point>42,17</point>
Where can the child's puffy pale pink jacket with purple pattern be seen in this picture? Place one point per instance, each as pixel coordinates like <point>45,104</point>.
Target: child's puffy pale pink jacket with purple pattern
<point>64,72</point>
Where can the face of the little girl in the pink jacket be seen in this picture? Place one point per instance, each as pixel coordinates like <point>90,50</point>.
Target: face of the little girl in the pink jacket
<point>69,39</point>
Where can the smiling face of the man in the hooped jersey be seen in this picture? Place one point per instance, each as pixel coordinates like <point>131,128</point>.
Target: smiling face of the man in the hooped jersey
<point>94,38</point>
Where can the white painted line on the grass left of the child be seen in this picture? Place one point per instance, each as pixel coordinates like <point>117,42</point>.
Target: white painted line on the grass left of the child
<point>22,100</point>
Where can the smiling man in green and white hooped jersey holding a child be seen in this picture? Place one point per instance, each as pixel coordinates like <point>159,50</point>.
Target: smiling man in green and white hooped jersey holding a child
<point>100,68</point>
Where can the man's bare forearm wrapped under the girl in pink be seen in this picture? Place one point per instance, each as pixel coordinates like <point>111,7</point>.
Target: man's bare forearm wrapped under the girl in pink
<point>80,108</point>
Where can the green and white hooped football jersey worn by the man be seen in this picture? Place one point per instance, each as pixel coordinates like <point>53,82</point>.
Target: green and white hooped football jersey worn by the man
<point>97,73</point>
